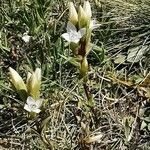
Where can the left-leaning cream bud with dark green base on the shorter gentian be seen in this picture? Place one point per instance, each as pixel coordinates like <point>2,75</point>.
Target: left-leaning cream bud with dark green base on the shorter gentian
<point>18,83</point>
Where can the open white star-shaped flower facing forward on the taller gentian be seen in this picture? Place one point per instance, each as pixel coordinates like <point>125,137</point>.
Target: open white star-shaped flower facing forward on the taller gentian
<point>72,34</point>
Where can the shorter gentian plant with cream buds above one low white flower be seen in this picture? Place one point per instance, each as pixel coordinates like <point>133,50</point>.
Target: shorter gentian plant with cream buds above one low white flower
<point>29,92</point>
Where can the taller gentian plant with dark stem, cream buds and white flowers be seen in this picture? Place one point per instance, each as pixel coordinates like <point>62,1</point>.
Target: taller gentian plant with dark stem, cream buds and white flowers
<point>79,30</point>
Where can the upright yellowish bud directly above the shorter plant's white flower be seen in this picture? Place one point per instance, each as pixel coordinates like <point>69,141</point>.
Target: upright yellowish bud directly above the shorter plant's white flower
<point>34,83</point>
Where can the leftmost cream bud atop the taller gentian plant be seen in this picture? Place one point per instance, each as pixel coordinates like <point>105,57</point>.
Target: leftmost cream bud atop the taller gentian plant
<point>73,16</point>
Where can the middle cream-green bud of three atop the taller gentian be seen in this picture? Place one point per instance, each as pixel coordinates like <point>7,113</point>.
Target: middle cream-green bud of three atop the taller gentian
<point>82,18</point>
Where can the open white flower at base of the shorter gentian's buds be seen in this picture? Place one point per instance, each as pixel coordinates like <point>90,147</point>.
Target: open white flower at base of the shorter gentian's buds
<point>33,105</point>
